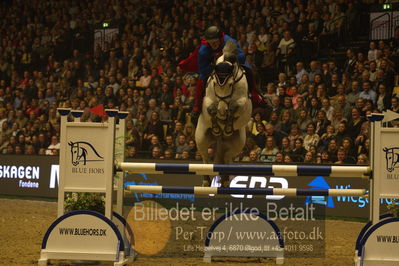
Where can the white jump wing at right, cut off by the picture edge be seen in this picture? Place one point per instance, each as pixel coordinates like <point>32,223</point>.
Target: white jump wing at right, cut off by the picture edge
<point>377,243</point>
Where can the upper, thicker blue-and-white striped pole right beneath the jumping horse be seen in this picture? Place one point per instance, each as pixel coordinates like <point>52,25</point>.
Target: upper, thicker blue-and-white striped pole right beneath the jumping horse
<point>246,169</point>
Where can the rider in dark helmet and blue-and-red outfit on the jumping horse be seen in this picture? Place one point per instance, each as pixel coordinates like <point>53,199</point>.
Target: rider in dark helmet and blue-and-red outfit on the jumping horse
<point>211,49</point>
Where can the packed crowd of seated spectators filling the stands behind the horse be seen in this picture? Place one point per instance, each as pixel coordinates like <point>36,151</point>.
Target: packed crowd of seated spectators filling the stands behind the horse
<point>313,110</point>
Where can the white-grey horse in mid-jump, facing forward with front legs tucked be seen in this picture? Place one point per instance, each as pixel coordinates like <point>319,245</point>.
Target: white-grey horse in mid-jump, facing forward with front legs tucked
<point>226,110</point>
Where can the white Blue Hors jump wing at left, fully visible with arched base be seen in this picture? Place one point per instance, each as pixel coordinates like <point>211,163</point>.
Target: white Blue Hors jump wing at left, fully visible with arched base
<point>86,165</point>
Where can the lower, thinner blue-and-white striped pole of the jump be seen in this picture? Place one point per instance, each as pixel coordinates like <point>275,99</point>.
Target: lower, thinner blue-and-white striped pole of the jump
<point>290,192</point>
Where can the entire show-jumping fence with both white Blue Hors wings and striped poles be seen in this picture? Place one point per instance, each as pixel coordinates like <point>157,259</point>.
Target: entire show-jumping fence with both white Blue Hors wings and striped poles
<point>87,163</point>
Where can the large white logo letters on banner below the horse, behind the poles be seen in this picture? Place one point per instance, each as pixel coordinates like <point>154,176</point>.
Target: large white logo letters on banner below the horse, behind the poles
<point>254,182</point>
